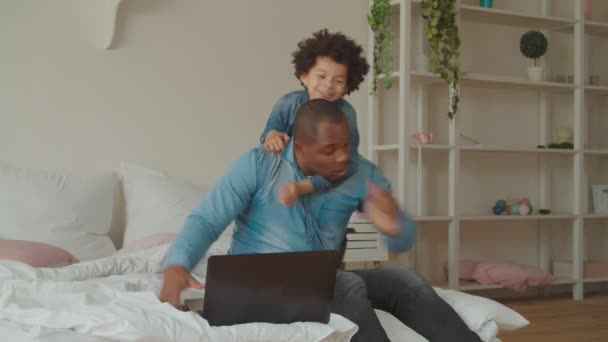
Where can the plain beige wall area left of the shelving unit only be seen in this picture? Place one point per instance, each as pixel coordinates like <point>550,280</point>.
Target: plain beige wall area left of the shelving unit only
<point>186,87</point>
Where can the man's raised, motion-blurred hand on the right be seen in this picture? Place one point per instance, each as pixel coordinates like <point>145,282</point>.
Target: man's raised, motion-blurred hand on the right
<point>382,209</point>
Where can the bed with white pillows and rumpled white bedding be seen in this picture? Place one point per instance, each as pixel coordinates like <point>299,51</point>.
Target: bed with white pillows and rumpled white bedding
<point>113,295</point>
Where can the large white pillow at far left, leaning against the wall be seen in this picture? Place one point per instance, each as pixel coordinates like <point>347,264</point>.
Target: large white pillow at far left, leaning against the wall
<point>67,211</point>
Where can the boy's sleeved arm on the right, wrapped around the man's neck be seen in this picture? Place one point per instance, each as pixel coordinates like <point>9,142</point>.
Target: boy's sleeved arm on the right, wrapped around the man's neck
<point>320,184</point>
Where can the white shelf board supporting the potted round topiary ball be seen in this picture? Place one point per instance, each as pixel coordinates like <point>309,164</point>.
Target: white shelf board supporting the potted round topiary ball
<point>494,81</point>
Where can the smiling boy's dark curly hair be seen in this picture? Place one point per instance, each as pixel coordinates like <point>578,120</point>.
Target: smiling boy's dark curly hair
<point>336,46</point>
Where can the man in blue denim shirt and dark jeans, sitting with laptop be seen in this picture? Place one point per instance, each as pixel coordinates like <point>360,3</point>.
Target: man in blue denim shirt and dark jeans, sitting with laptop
<point>246,194</point>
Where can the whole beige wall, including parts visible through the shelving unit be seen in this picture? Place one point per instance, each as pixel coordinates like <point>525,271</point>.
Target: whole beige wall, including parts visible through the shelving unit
<point>188,86</point>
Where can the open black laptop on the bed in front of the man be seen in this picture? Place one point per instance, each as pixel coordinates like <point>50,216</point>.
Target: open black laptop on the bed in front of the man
<point>271,288</point>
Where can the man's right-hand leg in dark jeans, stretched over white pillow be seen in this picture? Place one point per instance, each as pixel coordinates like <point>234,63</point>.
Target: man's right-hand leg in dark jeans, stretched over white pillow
<point>407,296</point>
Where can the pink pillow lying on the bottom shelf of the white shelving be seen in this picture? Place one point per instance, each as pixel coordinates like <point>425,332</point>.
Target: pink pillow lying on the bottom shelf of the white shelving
<point>511,275</point>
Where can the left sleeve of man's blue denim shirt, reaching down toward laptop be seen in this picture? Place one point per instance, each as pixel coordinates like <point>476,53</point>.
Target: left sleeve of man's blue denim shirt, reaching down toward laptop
<point>228,198</point>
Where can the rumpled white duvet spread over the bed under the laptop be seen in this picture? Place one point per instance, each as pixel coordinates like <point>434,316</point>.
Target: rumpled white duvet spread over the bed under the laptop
<point>117,298</point>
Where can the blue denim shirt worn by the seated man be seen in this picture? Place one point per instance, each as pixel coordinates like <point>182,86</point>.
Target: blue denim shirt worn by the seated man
<point>247,194</point>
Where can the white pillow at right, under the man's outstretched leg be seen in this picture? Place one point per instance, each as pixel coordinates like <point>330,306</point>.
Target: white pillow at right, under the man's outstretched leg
<point>476,311</point>
